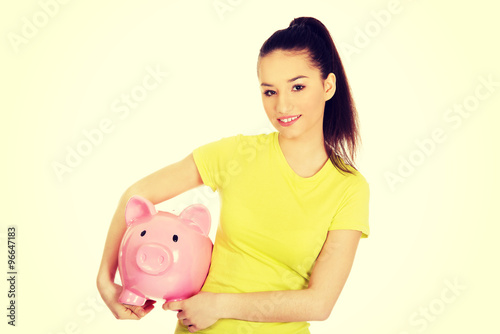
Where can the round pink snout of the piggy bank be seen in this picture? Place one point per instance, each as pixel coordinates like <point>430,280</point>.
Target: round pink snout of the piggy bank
<point>153,259</point>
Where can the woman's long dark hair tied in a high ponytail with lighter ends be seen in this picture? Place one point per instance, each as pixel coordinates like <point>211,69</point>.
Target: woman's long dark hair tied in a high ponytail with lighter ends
<point>340,120</point>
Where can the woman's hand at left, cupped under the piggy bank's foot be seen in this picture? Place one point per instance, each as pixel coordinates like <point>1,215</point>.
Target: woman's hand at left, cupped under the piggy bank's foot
<point>110,293</point>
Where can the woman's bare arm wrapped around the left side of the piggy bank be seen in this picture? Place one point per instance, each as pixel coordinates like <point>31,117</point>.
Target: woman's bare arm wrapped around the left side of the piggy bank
<point>157,187</point>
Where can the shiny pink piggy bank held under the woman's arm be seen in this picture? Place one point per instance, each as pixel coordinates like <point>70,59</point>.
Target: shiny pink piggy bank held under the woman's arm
<point>162,255</point>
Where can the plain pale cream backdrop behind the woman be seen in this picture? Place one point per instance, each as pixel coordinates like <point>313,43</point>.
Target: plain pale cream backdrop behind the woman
<point>429,124</point>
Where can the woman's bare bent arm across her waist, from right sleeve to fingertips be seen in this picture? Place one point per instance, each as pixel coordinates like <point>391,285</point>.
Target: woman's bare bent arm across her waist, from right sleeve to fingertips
<point>327,279</point>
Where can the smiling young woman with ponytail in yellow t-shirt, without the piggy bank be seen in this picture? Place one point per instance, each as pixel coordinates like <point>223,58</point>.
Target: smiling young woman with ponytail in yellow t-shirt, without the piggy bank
<point>293,207</point>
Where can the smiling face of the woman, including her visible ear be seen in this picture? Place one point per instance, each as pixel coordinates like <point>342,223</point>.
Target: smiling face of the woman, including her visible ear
<point>294,93</point>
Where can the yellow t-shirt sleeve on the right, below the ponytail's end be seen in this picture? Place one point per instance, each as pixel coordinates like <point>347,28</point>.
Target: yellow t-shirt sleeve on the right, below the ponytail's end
<point>352,213</point>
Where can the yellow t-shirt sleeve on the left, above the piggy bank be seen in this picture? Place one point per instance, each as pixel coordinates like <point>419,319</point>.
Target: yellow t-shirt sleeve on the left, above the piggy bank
<point>213,161</point>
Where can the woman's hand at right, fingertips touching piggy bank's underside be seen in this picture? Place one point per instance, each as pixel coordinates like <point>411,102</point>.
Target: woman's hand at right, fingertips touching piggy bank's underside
<point>197,312</point>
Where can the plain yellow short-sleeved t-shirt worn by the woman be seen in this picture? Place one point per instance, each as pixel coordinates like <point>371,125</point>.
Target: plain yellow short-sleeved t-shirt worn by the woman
<point>273,222</point>
